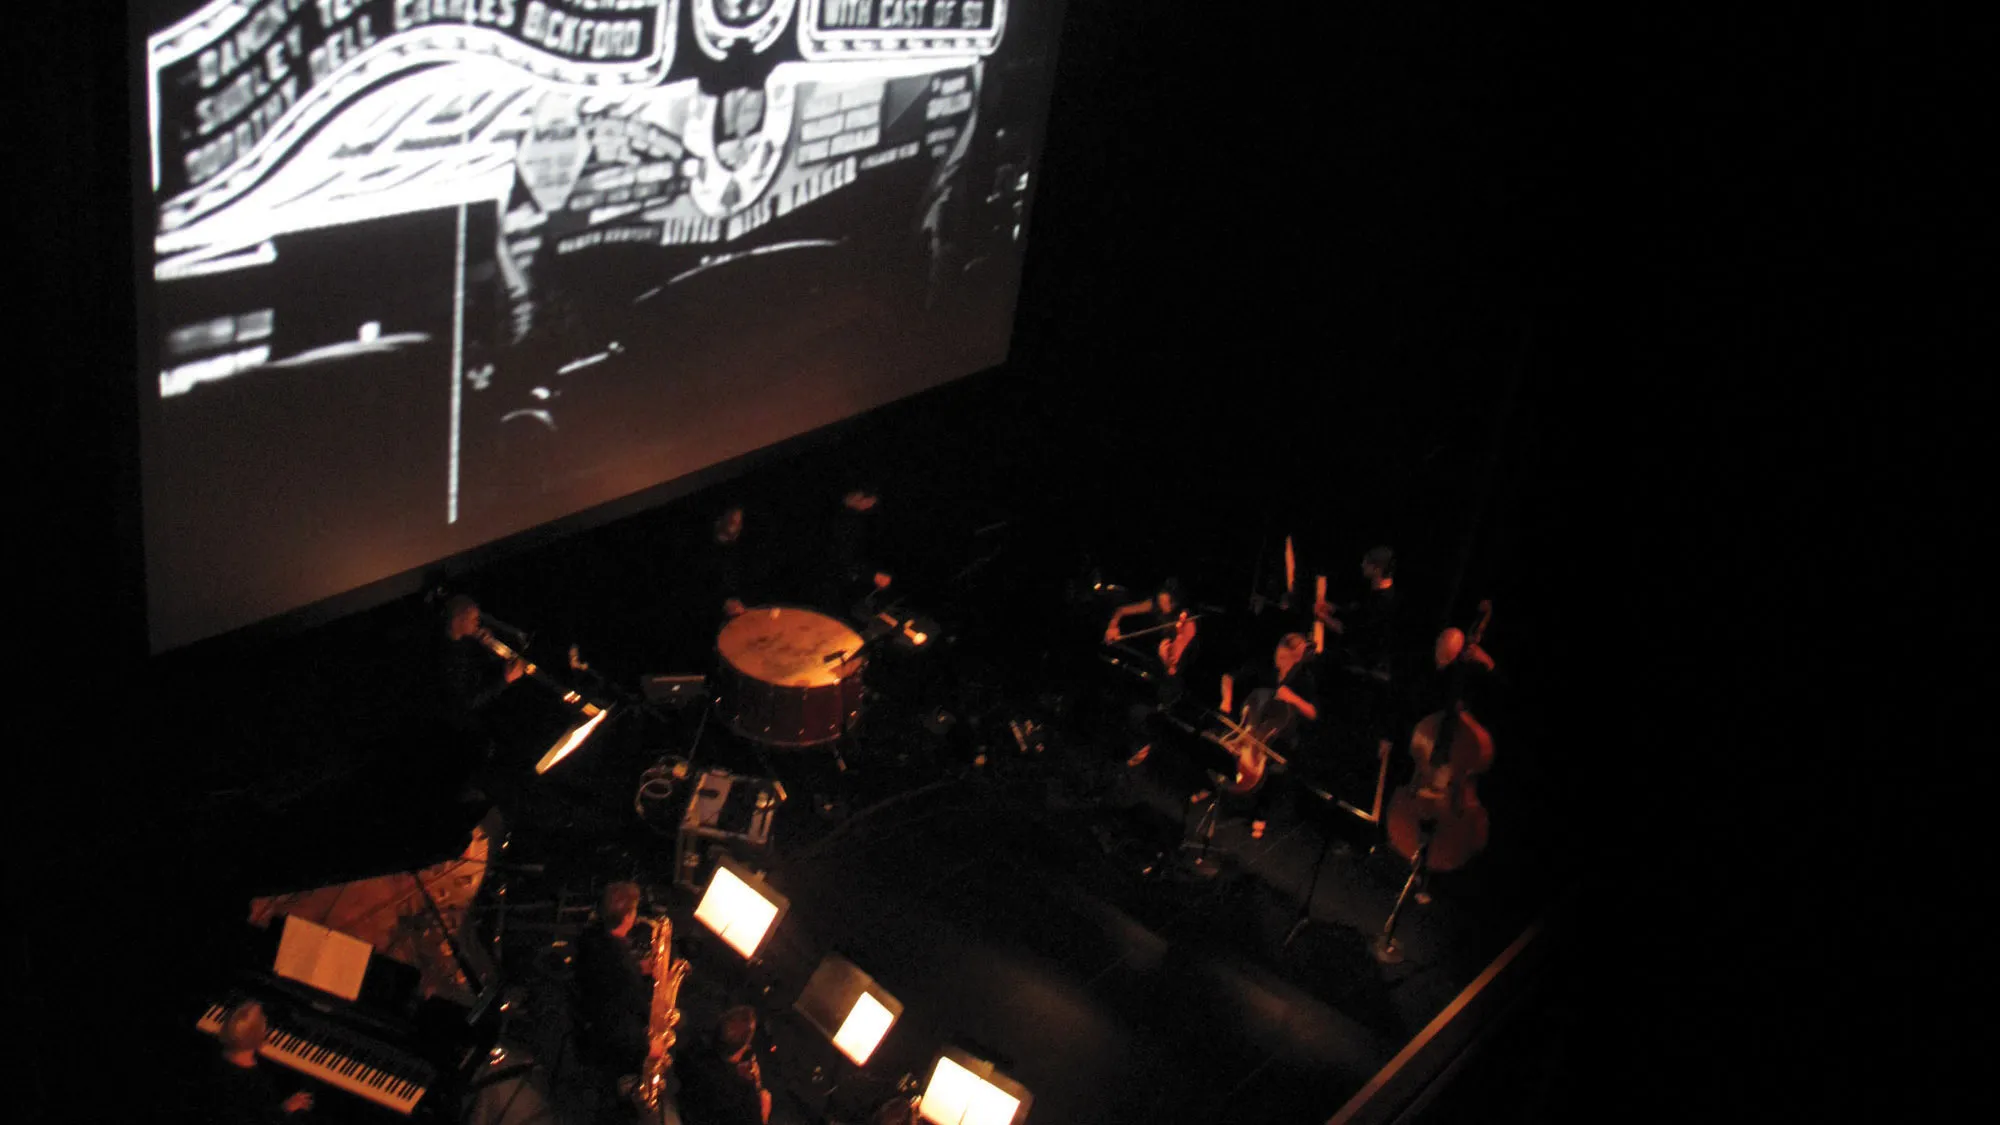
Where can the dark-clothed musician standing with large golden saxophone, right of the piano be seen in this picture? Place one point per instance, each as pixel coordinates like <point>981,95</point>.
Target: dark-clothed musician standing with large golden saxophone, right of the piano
<point>615,992</point>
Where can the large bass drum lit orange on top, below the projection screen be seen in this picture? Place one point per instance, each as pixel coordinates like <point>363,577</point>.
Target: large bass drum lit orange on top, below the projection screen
<point>789,678</point>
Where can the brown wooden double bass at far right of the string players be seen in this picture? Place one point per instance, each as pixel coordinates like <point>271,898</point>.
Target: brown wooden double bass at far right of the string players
<point>1441,802</point>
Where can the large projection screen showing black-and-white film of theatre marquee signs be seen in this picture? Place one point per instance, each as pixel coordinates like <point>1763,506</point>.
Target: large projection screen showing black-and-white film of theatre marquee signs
<point>429,273</point>
